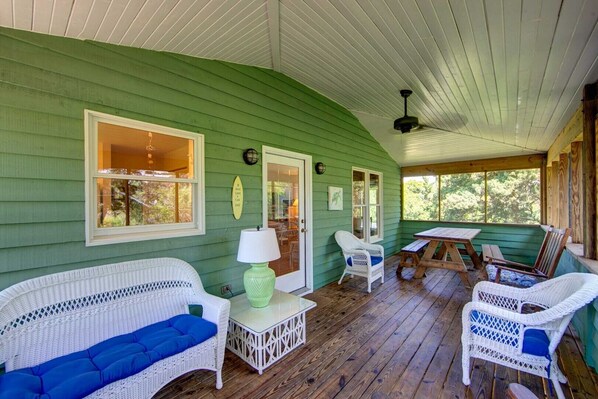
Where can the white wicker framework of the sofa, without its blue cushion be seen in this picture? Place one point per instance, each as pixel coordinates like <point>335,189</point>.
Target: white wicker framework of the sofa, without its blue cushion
<point>54,315</point>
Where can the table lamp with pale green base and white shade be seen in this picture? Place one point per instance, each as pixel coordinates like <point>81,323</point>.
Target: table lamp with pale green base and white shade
<point>258,247</point>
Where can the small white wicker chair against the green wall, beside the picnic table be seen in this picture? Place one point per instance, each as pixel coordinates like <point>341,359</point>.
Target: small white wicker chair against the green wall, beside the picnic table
<point>361,259</point>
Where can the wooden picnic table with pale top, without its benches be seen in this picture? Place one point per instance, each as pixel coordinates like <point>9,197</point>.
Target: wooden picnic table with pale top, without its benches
<point>443,253</point>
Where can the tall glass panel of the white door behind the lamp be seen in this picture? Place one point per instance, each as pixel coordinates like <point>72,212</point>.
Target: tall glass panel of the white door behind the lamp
<point>283,215</point>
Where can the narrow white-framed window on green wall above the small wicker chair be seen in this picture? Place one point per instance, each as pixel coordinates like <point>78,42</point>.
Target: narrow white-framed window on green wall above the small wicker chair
<point>367,205</point>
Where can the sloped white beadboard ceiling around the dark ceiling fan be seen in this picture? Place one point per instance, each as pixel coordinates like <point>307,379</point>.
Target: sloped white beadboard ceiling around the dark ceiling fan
<point>502,76</point>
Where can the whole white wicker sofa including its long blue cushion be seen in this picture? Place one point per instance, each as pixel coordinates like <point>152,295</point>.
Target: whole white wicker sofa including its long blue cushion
<point>86,316</point>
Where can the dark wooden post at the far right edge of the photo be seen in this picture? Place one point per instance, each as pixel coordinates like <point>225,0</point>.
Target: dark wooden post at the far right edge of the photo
<point>589,169</point>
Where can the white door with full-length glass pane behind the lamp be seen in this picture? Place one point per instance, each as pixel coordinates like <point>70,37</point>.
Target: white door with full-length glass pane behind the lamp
<point>285,204</point>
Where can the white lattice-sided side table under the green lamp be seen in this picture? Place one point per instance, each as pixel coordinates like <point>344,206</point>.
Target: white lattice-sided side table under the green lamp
<point>261,336</point>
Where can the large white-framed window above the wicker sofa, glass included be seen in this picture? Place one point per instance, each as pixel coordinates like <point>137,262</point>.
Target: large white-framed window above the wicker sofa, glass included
<point>142,181</point>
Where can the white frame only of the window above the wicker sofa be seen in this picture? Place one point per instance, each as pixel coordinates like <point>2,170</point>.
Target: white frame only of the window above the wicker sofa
<point>112,235</point>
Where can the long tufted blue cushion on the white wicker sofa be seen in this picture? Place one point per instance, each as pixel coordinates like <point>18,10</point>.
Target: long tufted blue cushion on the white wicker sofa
<point>79,374</point>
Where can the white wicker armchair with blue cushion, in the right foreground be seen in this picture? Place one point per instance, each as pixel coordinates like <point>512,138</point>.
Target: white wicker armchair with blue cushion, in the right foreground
<point>495,329</point>
